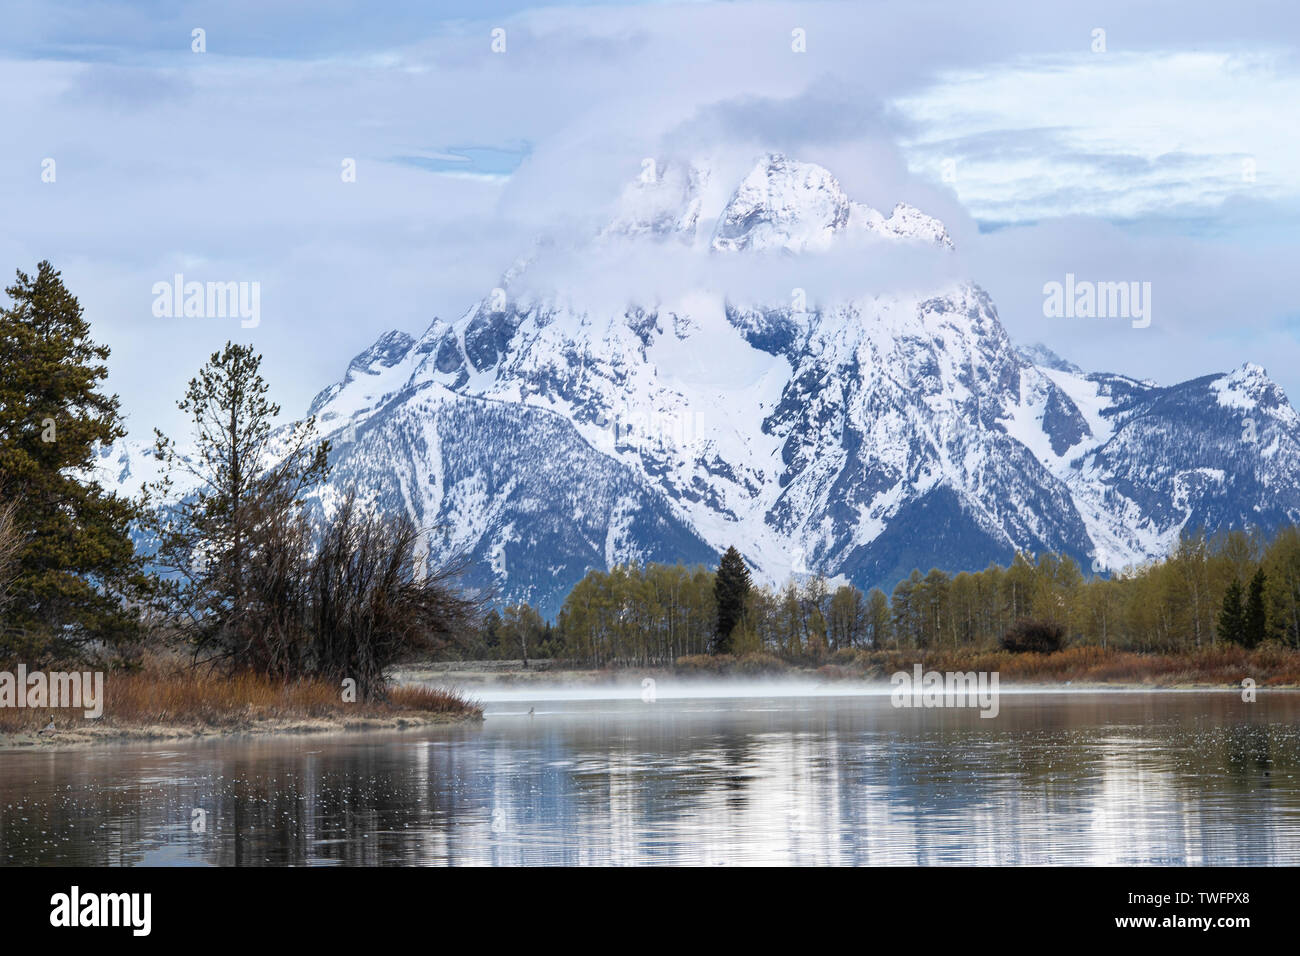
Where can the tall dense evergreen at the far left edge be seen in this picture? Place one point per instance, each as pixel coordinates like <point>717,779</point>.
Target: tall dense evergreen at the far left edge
<point>76,568</point>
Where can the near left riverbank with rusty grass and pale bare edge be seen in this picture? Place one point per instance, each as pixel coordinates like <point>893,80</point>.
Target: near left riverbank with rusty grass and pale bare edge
<point>185,706</point>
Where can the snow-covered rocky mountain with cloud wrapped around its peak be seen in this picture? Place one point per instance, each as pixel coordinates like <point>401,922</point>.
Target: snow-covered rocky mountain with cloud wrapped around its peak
<point>859,435</point>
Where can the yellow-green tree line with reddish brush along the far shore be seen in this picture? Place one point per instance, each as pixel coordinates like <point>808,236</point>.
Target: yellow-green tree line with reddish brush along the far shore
<point>1219,608</point>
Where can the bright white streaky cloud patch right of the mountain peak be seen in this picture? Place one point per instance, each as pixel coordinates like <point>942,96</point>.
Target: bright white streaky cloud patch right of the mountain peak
<point>1117,135</point>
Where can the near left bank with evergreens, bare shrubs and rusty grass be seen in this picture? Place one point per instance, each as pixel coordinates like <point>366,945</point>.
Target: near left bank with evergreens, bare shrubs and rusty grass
<point>223,599</point>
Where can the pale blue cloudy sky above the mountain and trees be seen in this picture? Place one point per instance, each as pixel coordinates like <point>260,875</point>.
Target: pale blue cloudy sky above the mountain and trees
<point>1171,157</point>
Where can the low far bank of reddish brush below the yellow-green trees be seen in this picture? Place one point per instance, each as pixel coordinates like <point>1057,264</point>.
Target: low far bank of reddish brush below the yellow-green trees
<point>1090,667</point>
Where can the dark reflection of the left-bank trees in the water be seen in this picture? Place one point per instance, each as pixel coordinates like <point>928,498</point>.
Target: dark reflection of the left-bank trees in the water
<point>353,811</point>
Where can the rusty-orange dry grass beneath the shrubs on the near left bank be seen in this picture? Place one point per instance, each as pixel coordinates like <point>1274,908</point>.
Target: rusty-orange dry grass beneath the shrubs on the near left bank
<point>176,698</point>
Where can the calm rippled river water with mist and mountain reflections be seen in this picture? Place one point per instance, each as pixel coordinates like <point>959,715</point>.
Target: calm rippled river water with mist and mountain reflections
<point>791,776</point>
